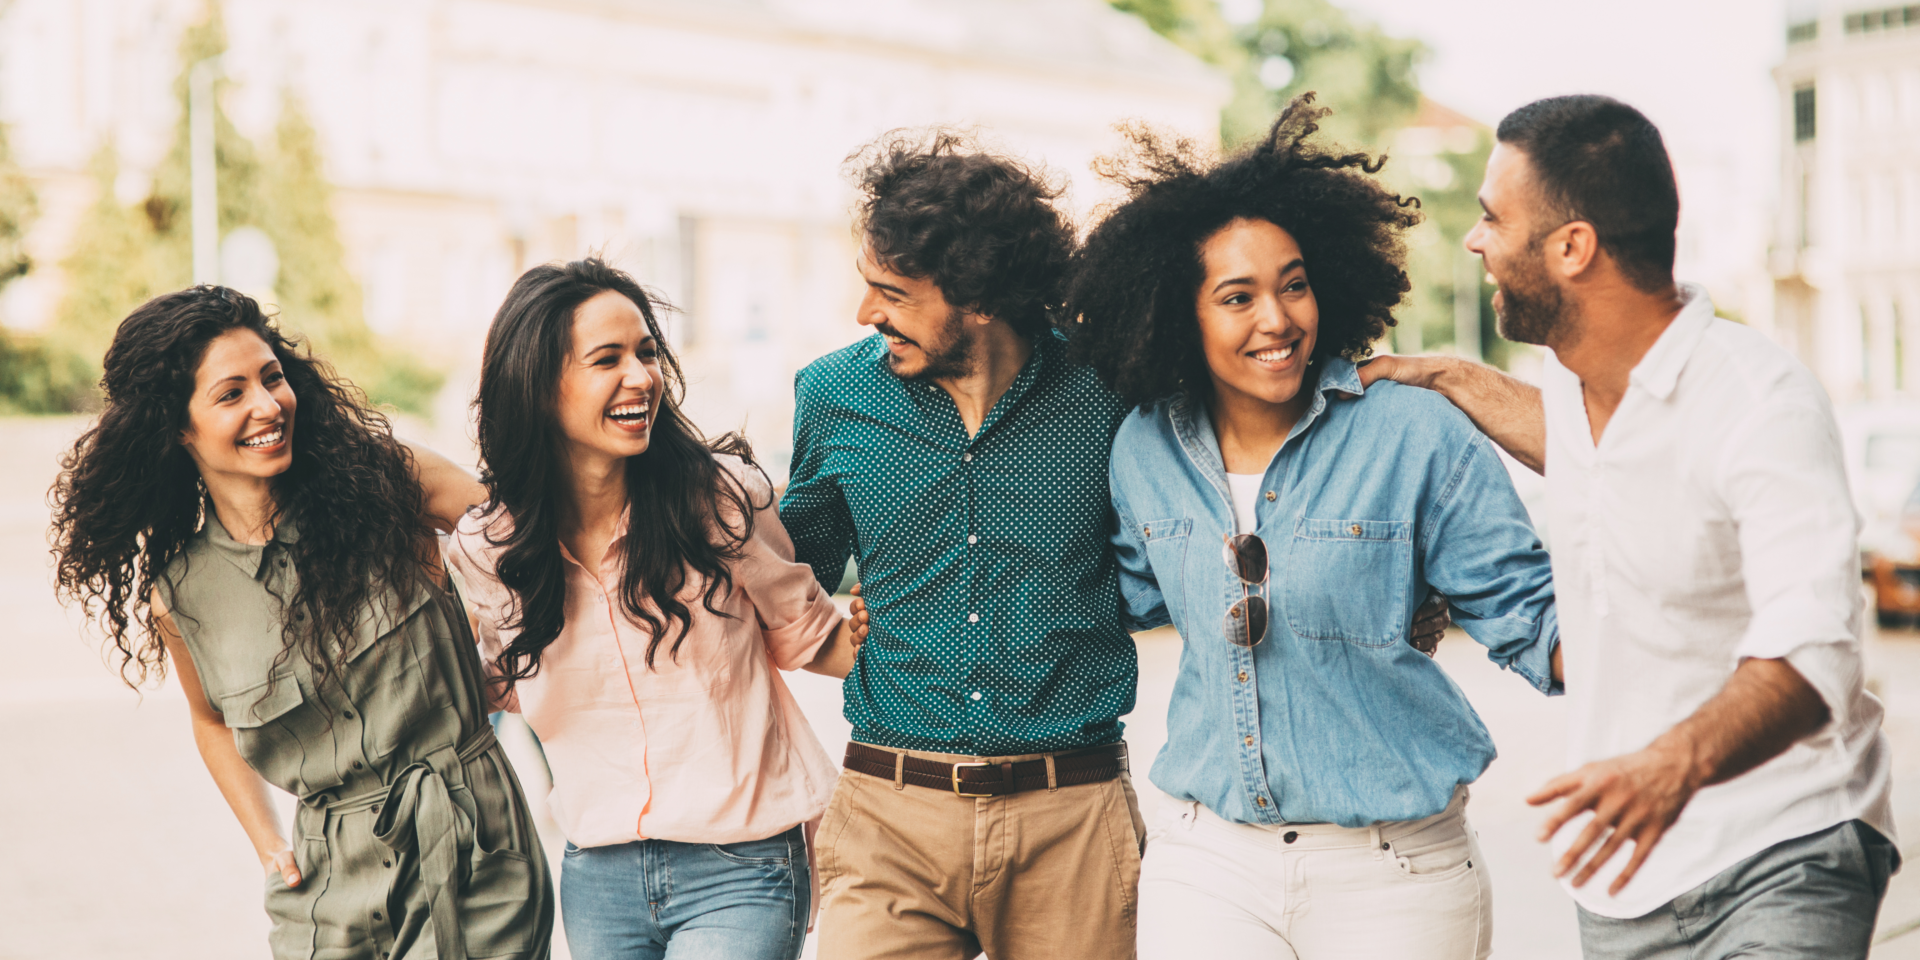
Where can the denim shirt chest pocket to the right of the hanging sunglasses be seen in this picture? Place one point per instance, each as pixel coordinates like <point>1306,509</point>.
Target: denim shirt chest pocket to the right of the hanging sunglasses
<point>1349,581</point>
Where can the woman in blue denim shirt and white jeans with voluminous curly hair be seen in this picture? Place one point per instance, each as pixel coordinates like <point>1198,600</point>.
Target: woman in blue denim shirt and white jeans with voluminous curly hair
<point>1318,759</point>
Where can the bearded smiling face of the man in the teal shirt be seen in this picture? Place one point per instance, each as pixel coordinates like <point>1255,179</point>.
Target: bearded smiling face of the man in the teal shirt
<point>926,337</point>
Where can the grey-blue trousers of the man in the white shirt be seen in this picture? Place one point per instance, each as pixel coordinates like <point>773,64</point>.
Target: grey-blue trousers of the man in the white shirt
<point>1804,900</point>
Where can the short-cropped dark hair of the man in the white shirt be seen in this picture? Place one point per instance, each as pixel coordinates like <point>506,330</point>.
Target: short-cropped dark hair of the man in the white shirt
<point>1604,162</point>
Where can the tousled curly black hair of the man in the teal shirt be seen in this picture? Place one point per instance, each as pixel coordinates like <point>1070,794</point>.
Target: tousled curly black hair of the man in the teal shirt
<point>982,228</point>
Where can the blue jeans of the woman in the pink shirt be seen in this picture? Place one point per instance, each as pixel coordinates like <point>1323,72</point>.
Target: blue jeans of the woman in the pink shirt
<point>688,901</point>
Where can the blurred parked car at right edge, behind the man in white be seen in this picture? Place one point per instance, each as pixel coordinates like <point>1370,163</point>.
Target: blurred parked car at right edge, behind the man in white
<point>1883,448</point>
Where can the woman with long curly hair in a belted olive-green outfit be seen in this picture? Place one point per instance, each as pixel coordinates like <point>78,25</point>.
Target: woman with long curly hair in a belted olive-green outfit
<point>243,514</point>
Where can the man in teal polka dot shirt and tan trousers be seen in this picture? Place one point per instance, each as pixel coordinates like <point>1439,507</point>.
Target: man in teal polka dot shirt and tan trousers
<point>965,462</point>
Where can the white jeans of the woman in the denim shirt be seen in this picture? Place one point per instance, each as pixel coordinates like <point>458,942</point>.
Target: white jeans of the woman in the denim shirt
<point>1395,892</point>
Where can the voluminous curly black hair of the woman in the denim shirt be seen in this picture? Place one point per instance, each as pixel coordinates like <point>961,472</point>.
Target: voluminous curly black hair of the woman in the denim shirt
<point>1130,306</point>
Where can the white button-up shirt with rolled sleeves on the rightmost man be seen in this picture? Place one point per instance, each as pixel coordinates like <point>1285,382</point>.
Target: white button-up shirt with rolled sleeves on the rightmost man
<point>1712,523</point>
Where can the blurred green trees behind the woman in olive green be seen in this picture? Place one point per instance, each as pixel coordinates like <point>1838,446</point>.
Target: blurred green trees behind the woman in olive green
<point>126,254</point>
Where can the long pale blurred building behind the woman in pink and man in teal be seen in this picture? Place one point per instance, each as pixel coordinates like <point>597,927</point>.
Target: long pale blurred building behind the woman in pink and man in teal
<point>698,143</point>
